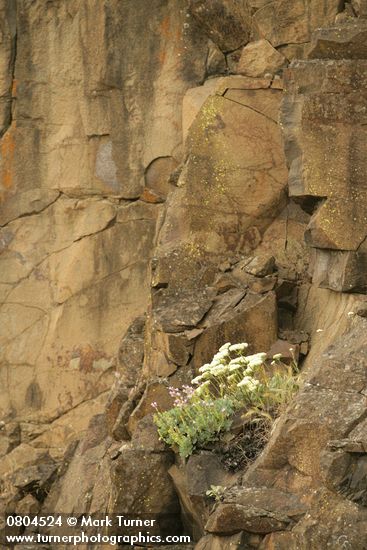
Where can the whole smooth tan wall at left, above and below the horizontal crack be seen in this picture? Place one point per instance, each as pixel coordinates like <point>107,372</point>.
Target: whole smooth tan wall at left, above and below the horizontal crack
<point>74,257</point>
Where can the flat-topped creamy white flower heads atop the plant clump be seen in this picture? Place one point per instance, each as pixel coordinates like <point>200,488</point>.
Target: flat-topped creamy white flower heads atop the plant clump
<point>232,364</point>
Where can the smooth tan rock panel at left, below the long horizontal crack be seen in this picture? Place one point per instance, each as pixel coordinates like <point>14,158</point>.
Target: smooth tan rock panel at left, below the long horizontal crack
<point>53,309</point>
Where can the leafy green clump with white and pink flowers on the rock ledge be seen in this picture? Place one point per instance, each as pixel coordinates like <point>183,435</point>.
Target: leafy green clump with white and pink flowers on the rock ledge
<point>232,381</point>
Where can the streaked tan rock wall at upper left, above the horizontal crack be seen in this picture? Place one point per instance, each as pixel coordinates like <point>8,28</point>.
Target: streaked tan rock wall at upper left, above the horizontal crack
<point>80,150</point>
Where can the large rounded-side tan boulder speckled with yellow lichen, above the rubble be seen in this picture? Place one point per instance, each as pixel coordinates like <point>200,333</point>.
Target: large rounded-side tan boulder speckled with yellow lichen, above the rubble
<point>233,165</point>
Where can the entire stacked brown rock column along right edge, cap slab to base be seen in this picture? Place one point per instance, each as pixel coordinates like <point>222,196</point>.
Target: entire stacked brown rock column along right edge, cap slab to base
<point>326,96</point>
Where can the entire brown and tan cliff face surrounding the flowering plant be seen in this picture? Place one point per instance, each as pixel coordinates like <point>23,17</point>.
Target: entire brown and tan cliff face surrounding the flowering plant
<point>174,176</point>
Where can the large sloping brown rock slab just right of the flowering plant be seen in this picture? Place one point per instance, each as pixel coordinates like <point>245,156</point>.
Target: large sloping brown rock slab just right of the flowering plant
<point>329,405</point>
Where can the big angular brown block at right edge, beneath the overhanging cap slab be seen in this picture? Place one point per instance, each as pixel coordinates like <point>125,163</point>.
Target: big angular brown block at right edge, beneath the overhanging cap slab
<point>346,231</point>
